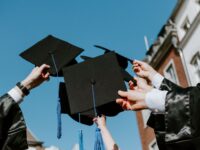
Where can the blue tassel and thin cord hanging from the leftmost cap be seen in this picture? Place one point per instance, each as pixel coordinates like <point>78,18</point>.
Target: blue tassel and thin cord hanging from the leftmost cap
<point>59,122</point>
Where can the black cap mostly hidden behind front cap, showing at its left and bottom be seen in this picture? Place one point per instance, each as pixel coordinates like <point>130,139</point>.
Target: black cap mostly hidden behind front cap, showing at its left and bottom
<point>65,109</point>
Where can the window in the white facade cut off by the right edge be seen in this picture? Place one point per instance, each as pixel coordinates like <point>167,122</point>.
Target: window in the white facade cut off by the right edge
<point>195,62</point>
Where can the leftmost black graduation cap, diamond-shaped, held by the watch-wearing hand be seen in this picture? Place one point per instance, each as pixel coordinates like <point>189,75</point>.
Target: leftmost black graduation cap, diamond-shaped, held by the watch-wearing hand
<point>54,52</point>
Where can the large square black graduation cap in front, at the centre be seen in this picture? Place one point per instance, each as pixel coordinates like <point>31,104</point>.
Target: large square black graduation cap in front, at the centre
<point>96,80</point>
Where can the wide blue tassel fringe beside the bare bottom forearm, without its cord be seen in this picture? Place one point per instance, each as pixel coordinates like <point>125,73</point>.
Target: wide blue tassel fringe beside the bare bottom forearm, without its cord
<point>98,140</point>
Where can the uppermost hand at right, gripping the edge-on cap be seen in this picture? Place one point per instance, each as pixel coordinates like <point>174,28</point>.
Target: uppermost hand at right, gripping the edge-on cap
<point>143,70</point>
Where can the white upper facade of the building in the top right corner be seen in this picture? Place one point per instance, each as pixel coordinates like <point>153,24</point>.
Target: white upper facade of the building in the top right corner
<point>187,21</point>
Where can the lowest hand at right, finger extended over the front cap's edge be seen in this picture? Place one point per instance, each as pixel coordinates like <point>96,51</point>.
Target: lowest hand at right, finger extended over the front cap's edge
<point>132,99</point>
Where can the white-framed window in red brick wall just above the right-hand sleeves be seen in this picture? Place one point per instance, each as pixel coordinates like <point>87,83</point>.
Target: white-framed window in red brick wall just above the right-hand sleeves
<point>170,72</point>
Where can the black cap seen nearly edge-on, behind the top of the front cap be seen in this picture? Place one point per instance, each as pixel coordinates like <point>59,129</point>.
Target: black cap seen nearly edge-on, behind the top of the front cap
<point>123,61</point>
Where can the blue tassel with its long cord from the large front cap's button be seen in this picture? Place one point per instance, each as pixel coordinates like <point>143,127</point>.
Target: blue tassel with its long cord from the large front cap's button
<point>98,145</point>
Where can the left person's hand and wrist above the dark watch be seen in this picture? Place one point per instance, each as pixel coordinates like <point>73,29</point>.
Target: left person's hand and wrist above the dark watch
<point>36,77</point>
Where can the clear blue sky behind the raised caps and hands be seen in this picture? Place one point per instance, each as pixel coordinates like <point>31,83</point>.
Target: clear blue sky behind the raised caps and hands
<point>116,24</point>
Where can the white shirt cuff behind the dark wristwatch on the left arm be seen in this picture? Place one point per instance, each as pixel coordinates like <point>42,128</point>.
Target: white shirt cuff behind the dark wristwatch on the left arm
<point>16,94</point>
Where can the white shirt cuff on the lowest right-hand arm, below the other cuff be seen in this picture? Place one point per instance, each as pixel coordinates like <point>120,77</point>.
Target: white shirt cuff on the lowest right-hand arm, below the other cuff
<point>155,100</point>
